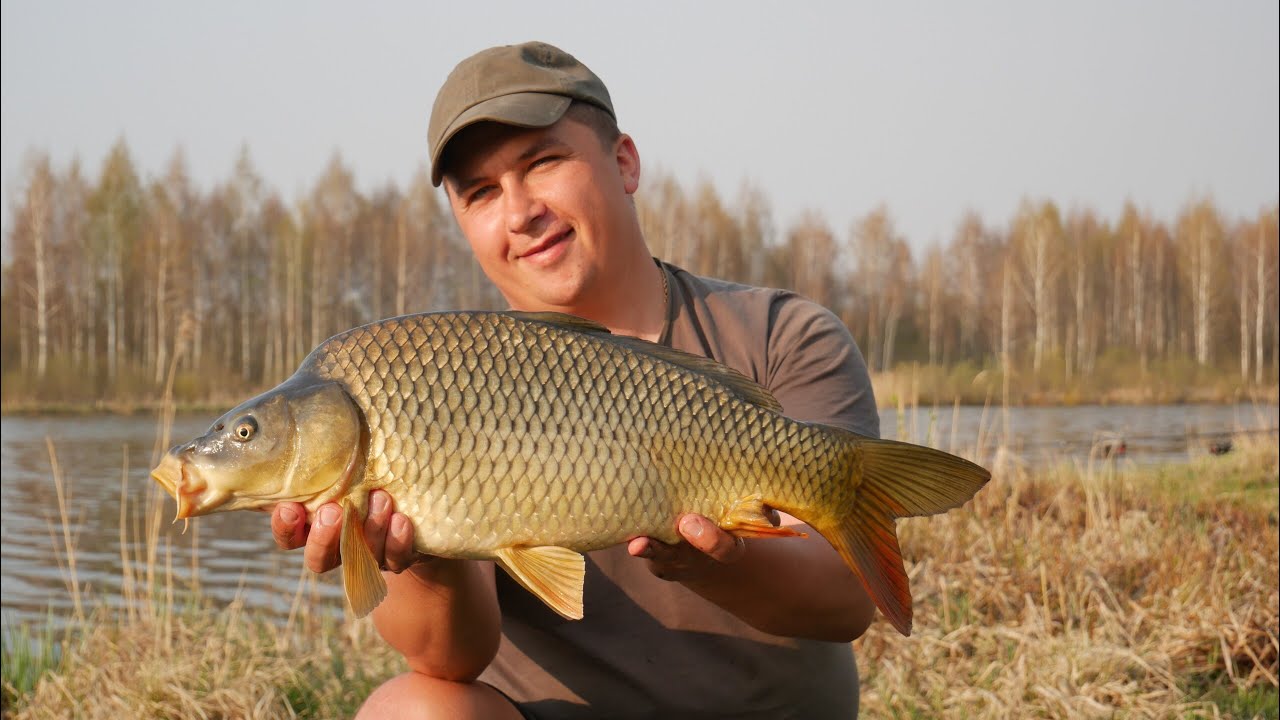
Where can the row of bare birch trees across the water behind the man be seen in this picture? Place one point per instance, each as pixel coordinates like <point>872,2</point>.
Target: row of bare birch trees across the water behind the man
<point>111,282</point>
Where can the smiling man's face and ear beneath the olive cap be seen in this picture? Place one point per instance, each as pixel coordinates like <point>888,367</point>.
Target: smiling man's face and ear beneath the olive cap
<point>547,211</point>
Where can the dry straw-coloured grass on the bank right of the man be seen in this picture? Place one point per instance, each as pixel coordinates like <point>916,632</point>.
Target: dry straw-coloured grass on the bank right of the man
<point>1092,593</point>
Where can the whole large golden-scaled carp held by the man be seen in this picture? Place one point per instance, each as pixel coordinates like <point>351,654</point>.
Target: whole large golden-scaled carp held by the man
<point>529,439</point>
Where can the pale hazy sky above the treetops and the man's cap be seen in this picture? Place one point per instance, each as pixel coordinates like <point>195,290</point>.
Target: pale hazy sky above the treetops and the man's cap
<point>930,108</point>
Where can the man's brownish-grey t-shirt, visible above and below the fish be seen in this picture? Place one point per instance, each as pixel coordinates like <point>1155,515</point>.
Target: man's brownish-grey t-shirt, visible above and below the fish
<point>655,649</point>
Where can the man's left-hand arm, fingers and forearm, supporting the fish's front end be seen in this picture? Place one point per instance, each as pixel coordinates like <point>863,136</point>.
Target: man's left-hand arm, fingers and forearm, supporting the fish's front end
<point>442,616</point>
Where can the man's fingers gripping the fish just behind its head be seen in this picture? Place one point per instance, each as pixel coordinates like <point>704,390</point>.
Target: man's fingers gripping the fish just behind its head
<point>390,535</point>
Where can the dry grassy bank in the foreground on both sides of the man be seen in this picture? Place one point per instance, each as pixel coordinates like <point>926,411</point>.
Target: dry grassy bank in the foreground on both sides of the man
<point>1095,589</point>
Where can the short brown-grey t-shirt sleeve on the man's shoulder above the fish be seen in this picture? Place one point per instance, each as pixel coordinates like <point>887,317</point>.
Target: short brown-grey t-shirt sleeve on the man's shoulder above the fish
<point>816,370</point>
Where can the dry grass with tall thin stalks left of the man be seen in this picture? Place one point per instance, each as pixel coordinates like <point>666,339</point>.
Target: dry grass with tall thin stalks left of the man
<point>166,651</point>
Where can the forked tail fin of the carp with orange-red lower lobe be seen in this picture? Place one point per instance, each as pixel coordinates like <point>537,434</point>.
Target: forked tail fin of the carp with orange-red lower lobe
<point>895,480</point>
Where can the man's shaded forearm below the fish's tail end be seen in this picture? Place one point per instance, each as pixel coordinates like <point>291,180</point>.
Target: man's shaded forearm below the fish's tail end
<point>793,587</point>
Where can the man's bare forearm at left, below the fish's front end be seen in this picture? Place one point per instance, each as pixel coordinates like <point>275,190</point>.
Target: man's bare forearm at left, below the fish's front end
<point>444,617</point>
